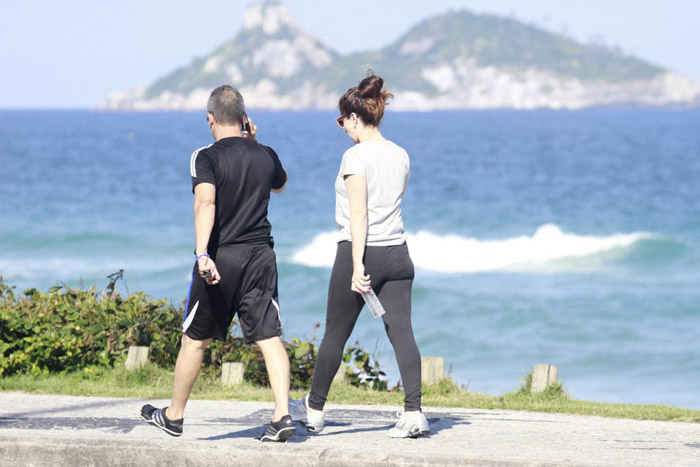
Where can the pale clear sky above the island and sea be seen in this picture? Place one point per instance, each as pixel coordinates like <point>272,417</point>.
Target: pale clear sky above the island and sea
<point>73,53</point>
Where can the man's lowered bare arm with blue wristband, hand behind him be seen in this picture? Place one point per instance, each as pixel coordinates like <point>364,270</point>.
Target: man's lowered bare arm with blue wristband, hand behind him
<point>204,214</point>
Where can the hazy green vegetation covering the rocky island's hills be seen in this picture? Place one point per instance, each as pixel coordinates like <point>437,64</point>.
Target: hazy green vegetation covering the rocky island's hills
<point>482,40</point>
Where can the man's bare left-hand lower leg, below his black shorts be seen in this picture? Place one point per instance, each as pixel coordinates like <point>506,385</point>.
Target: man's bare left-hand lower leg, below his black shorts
<point>189,362</point>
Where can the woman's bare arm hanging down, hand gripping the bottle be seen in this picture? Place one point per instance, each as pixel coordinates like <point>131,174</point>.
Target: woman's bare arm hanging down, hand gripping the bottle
<point>357,195</point>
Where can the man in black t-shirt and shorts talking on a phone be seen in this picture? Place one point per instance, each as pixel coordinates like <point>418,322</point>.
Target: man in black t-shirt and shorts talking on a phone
<point>235,270</point>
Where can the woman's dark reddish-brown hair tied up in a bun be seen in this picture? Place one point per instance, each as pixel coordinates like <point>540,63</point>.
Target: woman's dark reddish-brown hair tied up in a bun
<point>367,100</point>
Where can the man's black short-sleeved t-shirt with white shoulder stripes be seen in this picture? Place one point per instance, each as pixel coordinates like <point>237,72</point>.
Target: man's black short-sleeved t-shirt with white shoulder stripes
<point>243,173</point>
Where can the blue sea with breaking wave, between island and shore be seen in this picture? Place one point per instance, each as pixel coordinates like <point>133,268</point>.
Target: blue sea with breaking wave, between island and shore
<point>570,238</point>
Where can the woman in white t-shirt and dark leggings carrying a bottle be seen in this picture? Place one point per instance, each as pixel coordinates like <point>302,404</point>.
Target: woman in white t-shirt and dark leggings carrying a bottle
<point>372,251</point>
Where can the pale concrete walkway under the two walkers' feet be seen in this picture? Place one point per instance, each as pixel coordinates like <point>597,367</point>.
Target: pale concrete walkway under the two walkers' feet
<point>63,430</point>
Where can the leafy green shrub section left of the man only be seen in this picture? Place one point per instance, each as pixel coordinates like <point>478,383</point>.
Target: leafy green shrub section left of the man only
<point>69,329</point>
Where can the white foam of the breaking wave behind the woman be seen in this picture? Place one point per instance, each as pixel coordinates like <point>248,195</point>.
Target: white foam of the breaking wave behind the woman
<point>454,253</point>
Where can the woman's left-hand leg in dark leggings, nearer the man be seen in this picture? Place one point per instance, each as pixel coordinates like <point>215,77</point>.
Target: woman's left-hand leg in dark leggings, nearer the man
<point>342,311</point>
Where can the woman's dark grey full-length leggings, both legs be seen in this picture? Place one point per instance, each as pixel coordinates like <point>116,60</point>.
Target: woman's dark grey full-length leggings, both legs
<point>391,273</point>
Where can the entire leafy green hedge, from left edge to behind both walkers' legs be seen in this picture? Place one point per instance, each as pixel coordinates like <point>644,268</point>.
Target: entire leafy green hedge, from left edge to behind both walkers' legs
<point>68,329</point>
